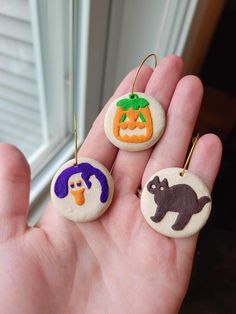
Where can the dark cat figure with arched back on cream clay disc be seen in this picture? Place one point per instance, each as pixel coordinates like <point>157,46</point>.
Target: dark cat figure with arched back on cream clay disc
<point>180,198</point>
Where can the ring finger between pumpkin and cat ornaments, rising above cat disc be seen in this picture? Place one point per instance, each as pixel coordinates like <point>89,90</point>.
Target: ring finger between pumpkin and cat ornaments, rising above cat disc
<point>181,117</point>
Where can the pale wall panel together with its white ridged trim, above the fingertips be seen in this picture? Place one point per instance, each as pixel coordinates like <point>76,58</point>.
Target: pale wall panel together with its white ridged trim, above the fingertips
<point>139,27</point>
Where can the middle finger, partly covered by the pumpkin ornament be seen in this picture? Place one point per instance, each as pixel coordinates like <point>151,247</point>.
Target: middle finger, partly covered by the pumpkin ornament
<point>161,86</point>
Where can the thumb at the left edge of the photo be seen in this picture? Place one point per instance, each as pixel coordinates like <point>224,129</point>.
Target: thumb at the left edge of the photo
<point>14,192</point>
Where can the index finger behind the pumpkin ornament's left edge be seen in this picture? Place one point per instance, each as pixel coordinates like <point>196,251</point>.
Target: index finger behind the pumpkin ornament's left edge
<point>96,145</point>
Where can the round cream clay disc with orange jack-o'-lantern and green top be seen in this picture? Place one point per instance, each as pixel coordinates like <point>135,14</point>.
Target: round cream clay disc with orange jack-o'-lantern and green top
<point>134,122</point>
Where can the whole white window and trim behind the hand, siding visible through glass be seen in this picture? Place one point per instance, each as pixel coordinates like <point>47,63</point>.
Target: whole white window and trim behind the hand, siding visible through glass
<point>58,56</point>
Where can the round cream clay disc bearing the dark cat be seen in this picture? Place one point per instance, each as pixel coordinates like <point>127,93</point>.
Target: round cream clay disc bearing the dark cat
<point>174,205</point>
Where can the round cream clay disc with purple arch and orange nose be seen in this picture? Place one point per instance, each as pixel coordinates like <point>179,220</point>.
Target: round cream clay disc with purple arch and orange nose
<point>82,192</point>
